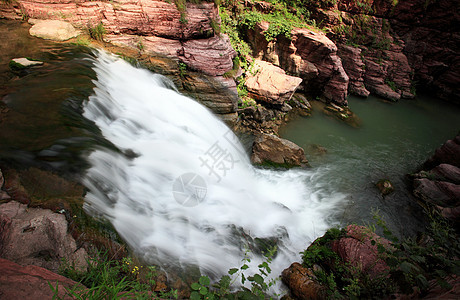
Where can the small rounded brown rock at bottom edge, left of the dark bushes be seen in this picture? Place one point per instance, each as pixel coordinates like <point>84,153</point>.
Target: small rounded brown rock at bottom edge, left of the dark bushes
<point>302,282</point>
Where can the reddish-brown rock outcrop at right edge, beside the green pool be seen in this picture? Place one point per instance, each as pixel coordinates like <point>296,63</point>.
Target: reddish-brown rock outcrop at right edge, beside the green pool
<point>439,181</point>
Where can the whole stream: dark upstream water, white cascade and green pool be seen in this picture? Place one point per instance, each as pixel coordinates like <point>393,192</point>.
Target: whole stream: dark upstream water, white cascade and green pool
<point>177,184</point>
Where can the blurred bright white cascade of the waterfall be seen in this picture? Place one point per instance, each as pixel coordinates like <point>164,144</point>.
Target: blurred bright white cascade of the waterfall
<point>224,203</point>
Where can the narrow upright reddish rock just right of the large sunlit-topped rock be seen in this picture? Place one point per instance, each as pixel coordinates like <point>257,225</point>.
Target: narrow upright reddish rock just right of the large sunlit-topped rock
<point>354,67</point>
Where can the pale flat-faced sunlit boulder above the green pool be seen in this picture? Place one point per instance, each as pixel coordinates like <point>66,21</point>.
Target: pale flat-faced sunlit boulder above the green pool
<point>271,84</point>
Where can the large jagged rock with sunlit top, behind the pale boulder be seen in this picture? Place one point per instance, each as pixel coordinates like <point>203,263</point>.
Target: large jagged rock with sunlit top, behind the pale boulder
<point>309,55</point>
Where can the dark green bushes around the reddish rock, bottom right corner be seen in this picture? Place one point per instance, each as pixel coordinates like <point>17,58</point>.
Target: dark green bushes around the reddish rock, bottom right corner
<point>411,264</point>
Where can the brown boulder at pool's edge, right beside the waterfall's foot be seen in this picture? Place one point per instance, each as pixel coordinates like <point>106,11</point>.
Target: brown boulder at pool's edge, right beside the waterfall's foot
<point>272,150</point>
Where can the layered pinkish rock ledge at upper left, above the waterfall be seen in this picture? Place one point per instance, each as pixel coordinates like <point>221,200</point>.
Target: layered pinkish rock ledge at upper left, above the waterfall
<point>158,29</point>
